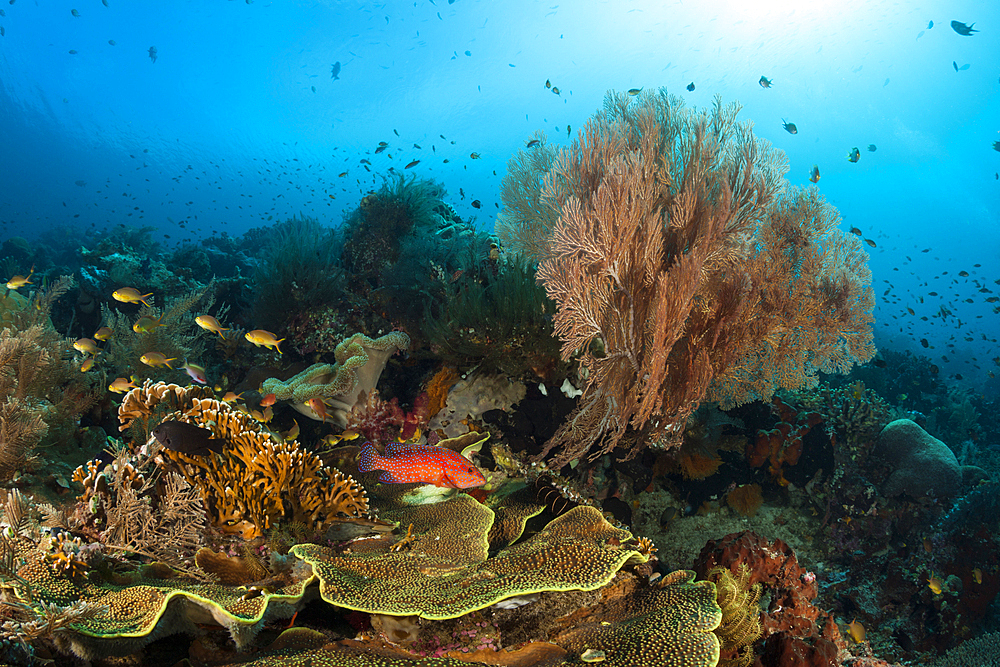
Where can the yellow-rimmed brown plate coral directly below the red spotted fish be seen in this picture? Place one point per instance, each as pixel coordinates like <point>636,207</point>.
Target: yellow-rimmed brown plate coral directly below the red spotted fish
<point>446,571</point>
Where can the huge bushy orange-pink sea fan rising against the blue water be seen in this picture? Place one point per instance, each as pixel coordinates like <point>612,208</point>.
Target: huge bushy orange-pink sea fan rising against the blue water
<point>684,269</point>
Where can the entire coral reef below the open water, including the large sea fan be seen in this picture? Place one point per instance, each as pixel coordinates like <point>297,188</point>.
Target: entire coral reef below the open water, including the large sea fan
<point>648,345</point>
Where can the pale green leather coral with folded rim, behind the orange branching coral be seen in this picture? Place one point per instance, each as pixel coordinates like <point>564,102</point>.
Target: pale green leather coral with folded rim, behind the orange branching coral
<point>360,361</point>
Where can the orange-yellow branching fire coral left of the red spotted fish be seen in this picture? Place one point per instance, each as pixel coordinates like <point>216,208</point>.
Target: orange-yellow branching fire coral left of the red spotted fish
<point>256,482</point>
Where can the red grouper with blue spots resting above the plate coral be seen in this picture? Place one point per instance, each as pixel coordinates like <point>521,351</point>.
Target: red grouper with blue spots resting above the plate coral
<point>405,463</point>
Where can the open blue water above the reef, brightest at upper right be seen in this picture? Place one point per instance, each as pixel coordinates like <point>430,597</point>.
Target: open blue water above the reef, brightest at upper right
<point>239,122</point>
